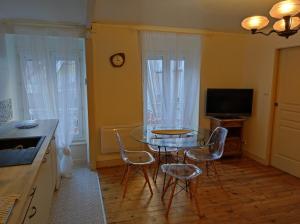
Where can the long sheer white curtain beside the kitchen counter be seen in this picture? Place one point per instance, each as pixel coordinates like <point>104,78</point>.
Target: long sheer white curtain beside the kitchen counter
<point>51,85</point>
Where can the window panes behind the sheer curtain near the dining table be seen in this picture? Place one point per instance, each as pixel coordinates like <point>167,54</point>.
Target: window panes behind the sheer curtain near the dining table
<point>165,92</point>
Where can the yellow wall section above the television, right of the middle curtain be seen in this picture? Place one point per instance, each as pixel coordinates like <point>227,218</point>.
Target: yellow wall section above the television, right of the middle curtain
<point>221,67</point>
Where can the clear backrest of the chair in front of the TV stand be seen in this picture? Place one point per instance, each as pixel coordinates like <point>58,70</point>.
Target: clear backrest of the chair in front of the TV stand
<point>217,141</point>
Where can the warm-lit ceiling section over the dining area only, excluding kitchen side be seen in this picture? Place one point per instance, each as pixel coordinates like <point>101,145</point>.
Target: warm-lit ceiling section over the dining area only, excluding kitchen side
<point>217,15</point>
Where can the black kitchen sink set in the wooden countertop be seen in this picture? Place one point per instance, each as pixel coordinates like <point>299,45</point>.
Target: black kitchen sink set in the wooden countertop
<point>19,151</point>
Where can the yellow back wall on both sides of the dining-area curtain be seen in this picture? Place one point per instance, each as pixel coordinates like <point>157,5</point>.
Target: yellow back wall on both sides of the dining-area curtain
<point>115,94</point>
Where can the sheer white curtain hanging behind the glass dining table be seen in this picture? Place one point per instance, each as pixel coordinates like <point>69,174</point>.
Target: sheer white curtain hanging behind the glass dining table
<point>171,73</point>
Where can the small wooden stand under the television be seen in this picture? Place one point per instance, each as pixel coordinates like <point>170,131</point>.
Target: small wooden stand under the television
<point>234,140</point>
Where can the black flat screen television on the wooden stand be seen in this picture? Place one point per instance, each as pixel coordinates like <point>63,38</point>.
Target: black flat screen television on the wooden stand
<point>229,102</point>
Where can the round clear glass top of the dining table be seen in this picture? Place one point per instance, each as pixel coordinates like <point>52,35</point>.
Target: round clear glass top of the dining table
<point>171,137</point>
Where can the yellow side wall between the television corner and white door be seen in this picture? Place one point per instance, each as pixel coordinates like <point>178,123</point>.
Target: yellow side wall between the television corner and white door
<point>259,73</point>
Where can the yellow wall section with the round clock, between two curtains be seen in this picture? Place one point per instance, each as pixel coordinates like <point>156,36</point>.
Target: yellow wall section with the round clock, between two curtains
<point>115,94</point>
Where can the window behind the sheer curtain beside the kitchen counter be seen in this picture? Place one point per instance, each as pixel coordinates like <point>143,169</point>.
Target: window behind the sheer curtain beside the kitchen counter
<point>66,70</point>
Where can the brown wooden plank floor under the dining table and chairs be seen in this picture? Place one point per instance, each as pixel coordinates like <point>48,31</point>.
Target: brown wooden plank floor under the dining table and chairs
<point>254,194</point>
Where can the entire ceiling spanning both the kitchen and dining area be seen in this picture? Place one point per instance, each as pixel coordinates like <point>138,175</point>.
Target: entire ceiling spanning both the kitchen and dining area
<point>217,15</point>
